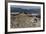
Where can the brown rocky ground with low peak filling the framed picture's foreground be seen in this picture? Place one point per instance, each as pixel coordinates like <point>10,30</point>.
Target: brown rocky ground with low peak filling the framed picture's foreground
<point>23,21</point>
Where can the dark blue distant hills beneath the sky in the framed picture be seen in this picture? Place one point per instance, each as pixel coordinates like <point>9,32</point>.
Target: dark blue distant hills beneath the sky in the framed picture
<point>25,10</point>
